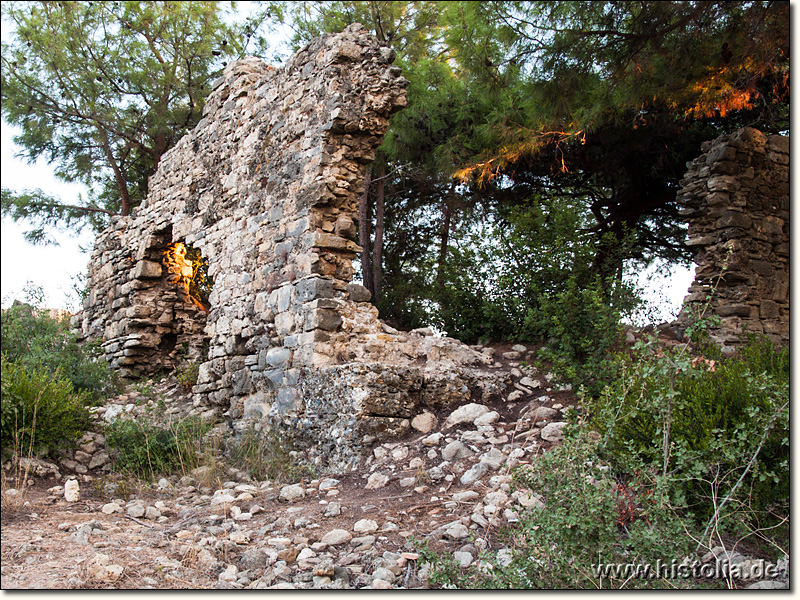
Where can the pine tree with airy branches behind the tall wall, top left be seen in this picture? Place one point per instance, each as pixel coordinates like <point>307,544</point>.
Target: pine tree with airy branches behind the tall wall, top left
<point>102,89</point>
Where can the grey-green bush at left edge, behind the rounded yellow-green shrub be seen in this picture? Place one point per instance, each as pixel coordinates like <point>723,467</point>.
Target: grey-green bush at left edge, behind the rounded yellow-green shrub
<point>37,341</point>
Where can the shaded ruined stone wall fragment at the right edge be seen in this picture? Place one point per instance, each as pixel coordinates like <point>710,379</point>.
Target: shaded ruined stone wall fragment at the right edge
<point>736,200</point>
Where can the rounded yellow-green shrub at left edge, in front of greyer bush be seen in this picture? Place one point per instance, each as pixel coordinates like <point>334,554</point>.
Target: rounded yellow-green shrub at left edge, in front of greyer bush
<point>41,410</point>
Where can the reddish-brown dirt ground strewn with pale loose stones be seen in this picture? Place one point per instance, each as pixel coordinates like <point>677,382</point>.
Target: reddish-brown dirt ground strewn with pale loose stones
<point>451,486</point>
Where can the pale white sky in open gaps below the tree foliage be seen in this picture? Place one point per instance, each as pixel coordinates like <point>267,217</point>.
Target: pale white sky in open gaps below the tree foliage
<point>56,268</point>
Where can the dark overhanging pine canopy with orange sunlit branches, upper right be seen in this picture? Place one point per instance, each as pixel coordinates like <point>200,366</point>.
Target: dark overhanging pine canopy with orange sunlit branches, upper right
<point>611,99</point>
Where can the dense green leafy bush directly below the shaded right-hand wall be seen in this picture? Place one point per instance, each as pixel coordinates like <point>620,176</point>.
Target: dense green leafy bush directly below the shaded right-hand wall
<point>700,421</point>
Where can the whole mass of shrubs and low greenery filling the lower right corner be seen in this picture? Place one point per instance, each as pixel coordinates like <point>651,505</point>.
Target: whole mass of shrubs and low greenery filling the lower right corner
<point>679,453</point>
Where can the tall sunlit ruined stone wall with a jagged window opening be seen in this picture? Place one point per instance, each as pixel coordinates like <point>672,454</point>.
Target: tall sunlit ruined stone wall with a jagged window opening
<point>266,187</point>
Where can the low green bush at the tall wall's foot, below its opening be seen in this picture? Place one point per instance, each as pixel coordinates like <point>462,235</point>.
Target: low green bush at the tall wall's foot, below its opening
<point>145,449</point>
